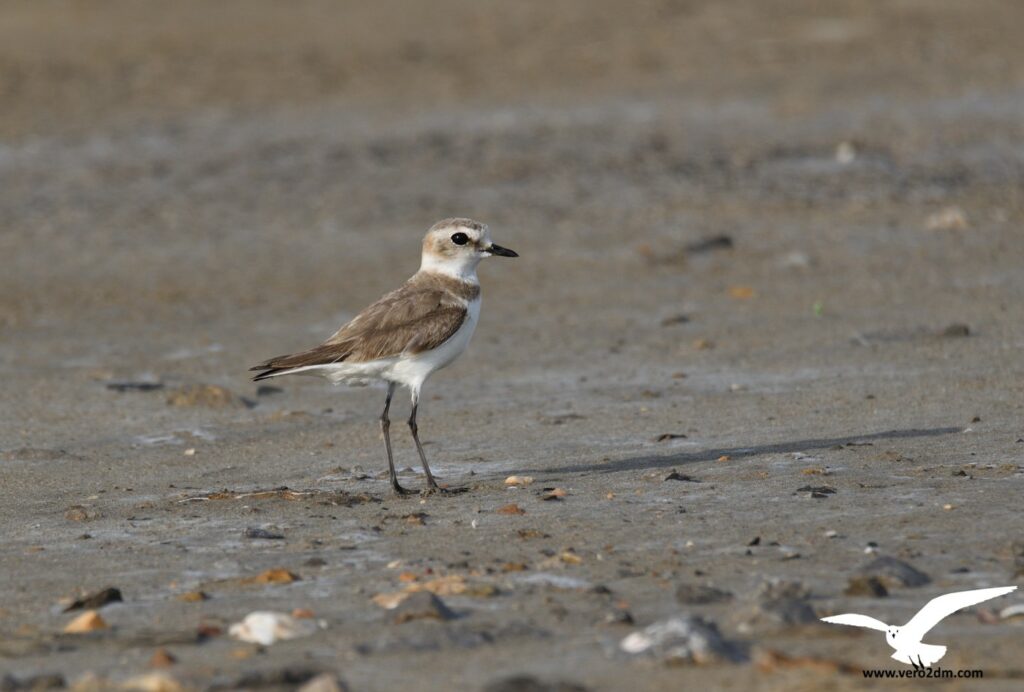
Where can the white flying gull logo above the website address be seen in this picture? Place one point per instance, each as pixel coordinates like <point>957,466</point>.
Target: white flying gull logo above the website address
<point>907,640</point>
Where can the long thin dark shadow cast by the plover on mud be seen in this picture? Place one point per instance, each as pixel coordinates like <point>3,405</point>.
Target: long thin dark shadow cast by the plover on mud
<point>667,461</point>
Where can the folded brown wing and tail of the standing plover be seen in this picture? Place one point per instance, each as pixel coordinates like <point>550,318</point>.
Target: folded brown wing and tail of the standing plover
<point>411,320</point>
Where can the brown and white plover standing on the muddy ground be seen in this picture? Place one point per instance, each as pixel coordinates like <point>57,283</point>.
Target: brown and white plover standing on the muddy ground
<point>409,334</point>
